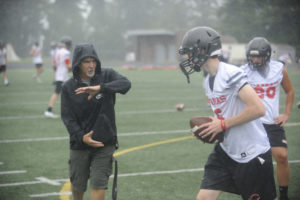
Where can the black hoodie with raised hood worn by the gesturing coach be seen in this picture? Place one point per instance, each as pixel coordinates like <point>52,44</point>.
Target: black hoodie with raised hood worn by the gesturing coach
<point>80,114</point>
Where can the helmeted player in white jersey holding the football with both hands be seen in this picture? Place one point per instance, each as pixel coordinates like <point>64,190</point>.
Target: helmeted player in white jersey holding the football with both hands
<point>237,109</point>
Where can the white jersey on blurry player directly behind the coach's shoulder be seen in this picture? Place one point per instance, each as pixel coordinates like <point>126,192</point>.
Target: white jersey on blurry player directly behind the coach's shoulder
<point>62,58</point>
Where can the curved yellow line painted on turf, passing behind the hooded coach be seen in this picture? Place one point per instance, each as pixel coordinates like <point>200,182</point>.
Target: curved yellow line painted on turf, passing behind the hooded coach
<point>67,186</point>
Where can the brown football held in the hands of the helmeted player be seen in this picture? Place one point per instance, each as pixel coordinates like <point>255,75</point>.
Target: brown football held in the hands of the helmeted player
<point>196,121</point>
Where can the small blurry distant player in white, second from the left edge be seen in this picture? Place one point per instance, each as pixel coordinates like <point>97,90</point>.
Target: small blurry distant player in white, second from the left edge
<point>36,53</point>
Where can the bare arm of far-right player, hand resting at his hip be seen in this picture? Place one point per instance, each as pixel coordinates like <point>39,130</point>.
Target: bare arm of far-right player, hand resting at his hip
<point>289,91</point>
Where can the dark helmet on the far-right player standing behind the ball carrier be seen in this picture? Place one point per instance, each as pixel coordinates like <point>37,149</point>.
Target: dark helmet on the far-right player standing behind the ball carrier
<point>258,46</point>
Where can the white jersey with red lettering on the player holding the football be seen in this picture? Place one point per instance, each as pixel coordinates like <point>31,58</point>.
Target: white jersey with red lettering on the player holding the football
<point>242,142</point>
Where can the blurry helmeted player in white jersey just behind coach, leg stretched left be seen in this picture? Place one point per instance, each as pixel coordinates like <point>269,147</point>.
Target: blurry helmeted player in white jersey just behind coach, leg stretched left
<point>63,66</point>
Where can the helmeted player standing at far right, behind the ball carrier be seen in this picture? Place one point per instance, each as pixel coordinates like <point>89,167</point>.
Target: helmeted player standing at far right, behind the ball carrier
<point>266,76</point>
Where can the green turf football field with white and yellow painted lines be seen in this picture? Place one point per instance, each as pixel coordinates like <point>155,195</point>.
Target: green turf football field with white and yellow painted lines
<point>166,165</point>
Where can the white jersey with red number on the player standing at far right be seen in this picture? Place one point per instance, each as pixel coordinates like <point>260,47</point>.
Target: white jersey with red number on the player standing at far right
<point>267,86</point>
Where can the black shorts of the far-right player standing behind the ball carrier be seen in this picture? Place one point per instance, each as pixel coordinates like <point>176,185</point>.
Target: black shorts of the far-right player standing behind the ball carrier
<point>276,135</point>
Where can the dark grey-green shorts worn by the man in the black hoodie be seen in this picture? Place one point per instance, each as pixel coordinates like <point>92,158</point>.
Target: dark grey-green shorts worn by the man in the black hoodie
<point>95,165</point>
